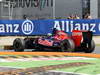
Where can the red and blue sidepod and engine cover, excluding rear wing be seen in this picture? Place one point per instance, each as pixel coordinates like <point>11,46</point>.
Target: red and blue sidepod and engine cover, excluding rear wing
<point>49,41</point>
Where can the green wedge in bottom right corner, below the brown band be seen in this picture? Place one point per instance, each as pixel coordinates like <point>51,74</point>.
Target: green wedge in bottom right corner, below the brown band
<point>92,69</point>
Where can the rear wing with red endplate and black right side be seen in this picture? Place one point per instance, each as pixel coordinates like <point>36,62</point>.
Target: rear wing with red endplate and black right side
<point>80,36</point>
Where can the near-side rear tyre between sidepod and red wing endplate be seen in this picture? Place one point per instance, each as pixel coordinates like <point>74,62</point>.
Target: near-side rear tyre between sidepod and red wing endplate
<point>67,45</point>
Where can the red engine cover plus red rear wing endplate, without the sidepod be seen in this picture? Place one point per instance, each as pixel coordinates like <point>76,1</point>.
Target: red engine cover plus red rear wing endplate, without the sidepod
<point>76,36</point>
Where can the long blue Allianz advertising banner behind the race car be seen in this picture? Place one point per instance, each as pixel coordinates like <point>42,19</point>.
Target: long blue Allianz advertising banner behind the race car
<point>43,27</point>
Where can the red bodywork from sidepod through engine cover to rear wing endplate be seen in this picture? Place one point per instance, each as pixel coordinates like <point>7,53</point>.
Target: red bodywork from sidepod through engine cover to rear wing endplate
<point>76,36</point>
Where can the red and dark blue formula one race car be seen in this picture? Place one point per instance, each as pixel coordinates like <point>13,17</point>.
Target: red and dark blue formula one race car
<point>59,40</point>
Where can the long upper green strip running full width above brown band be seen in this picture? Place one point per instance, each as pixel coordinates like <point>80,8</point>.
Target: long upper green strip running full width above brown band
<point>28,64</point>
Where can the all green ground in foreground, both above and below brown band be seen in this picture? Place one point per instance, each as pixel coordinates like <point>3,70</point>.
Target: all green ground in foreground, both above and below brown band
<point>91,69</point>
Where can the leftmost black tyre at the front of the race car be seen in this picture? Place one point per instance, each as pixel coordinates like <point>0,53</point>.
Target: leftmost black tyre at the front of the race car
<point>19,45</point>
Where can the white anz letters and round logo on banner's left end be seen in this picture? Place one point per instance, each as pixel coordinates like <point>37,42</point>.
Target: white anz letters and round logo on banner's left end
<point>27,28</point>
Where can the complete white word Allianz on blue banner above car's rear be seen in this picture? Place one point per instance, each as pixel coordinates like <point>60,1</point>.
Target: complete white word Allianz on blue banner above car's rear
<point>69,26</point>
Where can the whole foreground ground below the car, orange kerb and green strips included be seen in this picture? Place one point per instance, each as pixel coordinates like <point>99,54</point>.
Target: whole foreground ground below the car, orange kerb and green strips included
<point>50,67</point>
